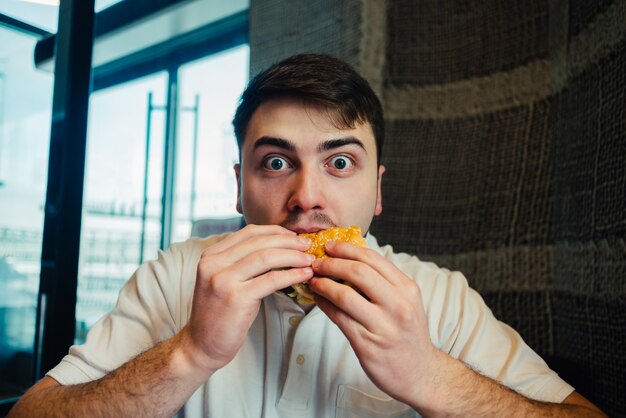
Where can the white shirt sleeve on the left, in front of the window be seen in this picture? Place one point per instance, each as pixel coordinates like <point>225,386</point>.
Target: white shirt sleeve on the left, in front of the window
<point>148,311</point>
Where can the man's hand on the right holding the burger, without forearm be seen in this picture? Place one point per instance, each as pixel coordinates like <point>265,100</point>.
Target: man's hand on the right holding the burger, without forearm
<point>386,324</point>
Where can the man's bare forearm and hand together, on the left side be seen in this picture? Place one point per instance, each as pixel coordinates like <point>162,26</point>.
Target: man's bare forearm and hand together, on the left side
<point>233,276</point>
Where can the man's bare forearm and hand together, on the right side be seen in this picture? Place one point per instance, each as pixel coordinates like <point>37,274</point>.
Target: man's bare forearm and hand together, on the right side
<point>386,325</point>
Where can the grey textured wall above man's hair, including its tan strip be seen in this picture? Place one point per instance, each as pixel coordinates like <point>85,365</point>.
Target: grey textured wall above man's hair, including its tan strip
<point>351,29</point>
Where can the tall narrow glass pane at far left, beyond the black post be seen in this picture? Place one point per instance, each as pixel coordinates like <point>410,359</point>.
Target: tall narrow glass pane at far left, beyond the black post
<point>25,112</point>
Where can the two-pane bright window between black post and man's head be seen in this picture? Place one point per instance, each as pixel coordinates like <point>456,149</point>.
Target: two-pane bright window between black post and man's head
<point>127,129</point>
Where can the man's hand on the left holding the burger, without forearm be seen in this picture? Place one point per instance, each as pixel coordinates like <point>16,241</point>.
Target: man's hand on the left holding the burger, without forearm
<point>233,276</point>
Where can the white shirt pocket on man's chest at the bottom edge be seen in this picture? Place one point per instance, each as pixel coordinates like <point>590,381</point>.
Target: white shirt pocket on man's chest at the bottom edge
<point>354,403</point>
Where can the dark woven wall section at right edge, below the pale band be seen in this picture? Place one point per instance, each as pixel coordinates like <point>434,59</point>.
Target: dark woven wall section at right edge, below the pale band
<point>589,127</point>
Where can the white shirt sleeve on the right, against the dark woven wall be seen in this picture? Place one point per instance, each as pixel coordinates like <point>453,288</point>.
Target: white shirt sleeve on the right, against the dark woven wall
<point>461,324</point>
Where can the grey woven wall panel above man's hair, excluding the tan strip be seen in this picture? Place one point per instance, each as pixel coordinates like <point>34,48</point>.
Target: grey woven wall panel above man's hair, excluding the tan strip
<point>281,28</point>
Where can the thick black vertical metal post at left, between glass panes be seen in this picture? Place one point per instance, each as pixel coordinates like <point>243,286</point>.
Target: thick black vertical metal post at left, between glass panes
<point>56,305</point>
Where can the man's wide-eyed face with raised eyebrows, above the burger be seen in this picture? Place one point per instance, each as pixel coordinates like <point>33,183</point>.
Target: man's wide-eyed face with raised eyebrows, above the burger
<point>299,171</point>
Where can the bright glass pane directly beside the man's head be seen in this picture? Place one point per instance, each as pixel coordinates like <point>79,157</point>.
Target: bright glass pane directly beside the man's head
<point>205,179</point>
